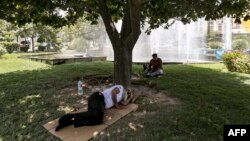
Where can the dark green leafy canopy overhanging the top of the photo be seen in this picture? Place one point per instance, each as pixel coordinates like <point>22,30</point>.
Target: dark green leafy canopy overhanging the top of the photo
<point>155,12</point>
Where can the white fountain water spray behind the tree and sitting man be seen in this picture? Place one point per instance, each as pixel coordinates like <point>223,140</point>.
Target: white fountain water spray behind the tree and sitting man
<point>179,43</point>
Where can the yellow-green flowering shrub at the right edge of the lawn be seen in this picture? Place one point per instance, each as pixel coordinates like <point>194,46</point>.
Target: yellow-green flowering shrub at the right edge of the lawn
<point>237,61</point>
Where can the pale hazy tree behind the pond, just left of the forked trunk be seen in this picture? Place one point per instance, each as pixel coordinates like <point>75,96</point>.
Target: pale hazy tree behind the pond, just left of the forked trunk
<point>80,36</point>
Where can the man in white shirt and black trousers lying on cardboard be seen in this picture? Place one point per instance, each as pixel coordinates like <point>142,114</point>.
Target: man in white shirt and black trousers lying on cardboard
<point>97,102</point>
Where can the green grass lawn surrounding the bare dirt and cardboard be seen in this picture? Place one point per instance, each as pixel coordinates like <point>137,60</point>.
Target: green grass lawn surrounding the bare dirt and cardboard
<point>208,98</point>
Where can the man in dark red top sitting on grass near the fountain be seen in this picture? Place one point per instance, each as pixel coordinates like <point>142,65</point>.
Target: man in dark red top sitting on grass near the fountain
<point>154,68</point>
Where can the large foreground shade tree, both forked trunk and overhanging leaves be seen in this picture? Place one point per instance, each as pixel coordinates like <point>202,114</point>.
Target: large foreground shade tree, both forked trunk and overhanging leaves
<point>133,13</point>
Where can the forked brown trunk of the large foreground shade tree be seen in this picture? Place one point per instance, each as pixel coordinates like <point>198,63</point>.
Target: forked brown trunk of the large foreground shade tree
<point>123,42</point>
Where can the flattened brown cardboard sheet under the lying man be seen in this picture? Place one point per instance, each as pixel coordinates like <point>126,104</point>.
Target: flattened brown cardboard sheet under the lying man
<point>87,132</point>
